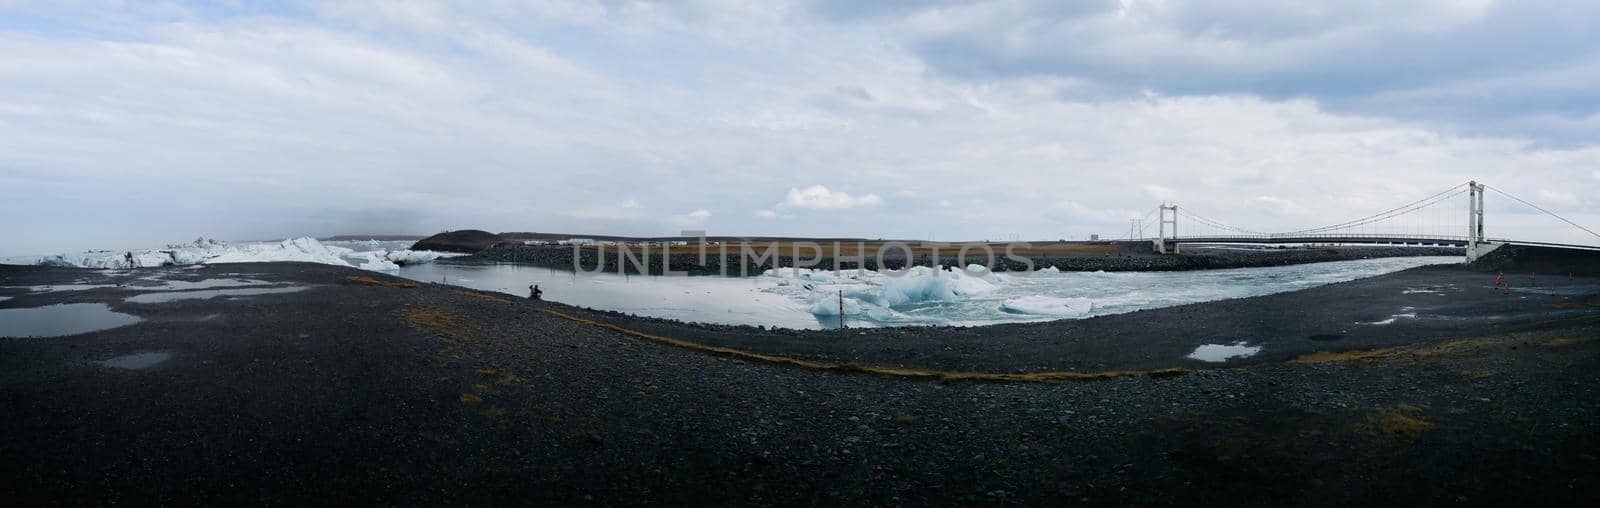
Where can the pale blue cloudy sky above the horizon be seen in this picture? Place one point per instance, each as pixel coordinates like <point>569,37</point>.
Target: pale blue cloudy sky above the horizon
<point>130,124</point>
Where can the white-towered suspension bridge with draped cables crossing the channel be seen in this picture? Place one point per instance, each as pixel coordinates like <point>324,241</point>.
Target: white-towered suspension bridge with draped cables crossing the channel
<point>1439,220</point>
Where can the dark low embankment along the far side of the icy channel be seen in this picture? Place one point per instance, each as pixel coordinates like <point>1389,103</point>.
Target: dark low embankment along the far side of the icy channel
<point>1124,258</point>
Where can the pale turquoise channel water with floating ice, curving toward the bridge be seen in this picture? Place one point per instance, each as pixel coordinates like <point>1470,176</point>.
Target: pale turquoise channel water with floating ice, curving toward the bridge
<point>924,298</point>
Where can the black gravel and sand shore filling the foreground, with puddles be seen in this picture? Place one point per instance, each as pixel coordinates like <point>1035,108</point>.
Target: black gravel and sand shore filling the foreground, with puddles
<point>370,389</point>
